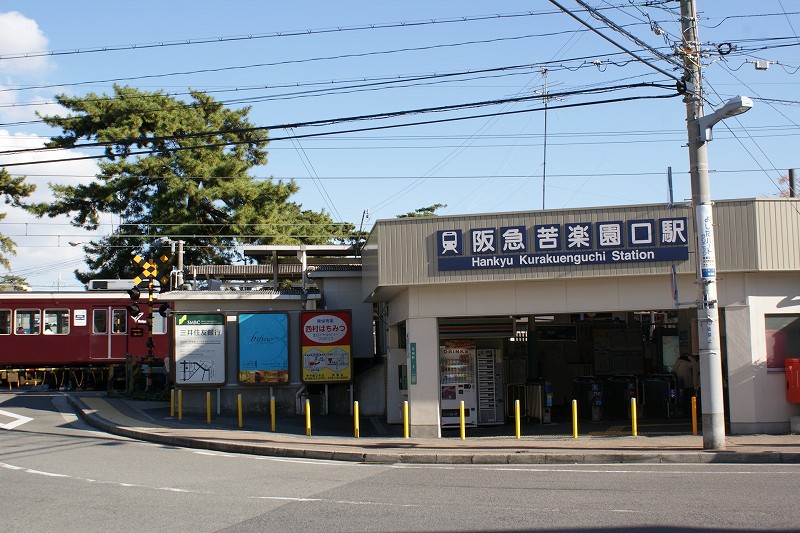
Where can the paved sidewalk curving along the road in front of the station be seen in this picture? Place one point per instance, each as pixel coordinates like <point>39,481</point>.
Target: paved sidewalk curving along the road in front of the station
<point>332,439</point>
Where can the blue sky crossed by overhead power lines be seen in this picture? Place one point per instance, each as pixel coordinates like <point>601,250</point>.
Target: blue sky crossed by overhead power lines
<point>325,61</point>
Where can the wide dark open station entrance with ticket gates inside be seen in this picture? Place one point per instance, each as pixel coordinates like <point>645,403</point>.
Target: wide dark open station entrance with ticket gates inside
<point>602,360</point>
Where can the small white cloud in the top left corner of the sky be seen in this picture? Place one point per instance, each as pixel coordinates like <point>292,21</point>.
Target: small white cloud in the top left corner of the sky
<point>18,35</point>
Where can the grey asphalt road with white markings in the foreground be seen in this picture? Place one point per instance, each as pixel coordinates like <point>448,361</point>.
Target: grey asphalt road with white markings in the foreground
<point>59,474</point>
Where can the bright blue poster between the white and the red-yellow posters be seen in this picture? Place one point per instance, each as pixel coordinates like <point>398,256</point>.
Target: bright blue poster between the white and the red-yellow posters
<point>263,348</point>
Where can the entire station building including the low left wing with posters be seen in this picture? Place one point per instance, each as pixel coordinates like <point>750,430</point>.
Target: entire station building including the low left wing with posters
<point>545,307</point>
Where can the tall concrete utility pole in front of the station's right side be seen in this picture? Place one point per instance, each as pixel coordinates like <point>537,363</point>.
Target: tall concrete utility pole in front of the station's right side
<point>713,409</point>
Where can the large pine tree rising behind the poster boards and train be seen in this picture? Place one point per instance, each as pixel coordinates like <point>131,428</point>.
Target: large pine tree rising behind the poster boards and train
<point>175,169</point>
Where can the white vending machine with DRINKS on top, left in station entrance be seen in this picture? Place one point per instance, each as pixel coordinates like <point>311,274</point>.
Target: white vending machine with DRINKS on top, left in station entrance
<point>457,382</point>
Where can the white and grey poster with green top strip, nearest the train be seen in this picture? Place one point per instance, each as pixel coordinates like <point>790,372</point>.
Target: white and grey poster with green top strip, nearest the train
<point>199,348</point>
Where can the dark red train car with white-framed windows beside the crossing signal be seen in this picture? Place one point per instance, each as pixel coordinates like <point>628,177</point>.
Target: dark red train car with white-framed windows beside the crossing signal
<point>82,335</point>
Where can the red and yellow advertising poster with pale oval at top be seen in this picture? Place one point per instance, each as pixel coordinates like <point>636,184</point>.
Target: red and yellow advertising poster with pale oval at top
<point>326,346</point>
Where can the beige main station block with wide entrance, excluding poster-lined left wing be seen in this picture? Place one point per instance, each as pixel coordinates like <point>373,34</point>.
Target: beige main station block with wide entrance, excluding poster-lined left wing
<point>594,304</point>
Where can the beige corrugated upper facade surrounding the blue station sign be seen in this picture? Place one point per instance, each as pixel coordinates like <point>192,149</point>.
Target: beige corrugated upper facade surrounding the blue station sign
<point>751,235</point>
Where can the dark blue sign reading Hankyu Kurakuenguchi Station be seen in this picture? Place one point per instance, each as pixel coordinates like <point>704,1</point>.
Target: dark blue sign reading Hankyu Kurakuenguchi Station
<point>572,244</point>
